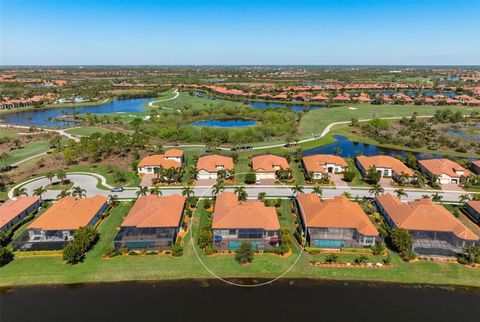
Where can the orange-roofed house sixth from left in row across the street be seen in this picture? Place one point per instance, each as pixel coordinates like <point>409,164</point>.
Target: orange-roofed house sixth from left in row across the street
<point>447,171</point>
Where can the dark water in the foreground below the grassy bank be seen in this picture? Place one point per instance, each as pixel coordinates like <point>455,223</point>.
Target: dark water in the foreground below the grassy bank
<point>285,300</point>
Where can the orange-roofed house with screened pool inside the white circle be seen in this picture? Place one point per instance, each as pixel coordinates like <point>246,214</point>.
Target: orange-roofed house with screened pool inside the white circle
<point>237,221</point>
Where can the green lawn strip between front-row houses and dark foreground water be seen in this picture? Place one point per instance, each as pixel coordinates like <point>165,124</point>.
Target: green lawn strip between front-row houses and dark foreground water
<point>52,269</point>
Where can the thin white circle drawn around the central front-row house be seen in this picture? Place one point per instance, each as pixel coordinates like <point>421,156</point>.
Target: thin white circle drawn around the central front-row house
<point>230,282</point>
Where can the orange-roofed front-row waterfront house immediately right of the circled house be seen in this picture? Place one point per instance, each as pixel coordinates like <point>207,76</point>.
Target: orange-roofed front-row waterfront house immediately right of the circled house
<point>336,223</point>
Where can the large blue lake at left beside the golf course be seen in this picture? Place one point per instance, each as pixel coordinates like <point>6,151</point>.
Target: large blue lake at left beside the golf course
<point>46,117</point>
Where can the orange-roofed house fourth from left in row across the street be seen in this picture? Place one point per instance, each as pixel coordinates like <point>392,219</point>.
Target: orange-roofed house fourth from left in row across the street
<point>320,164</point>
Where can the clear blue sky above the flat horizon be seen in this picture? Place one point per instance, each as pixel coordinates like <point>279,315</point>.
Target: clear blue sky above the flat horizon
<point>177,32</point>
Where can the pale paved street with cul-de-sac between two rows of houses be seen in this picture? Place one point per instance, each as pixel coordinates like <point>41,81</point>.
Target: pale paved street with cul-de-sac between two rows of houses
<point>89,182</point>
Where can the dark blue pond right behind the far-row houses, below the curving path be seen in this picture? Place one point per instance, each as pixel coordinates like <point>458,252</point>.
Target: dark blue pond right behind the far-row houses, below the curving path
<point>350,149</point>
